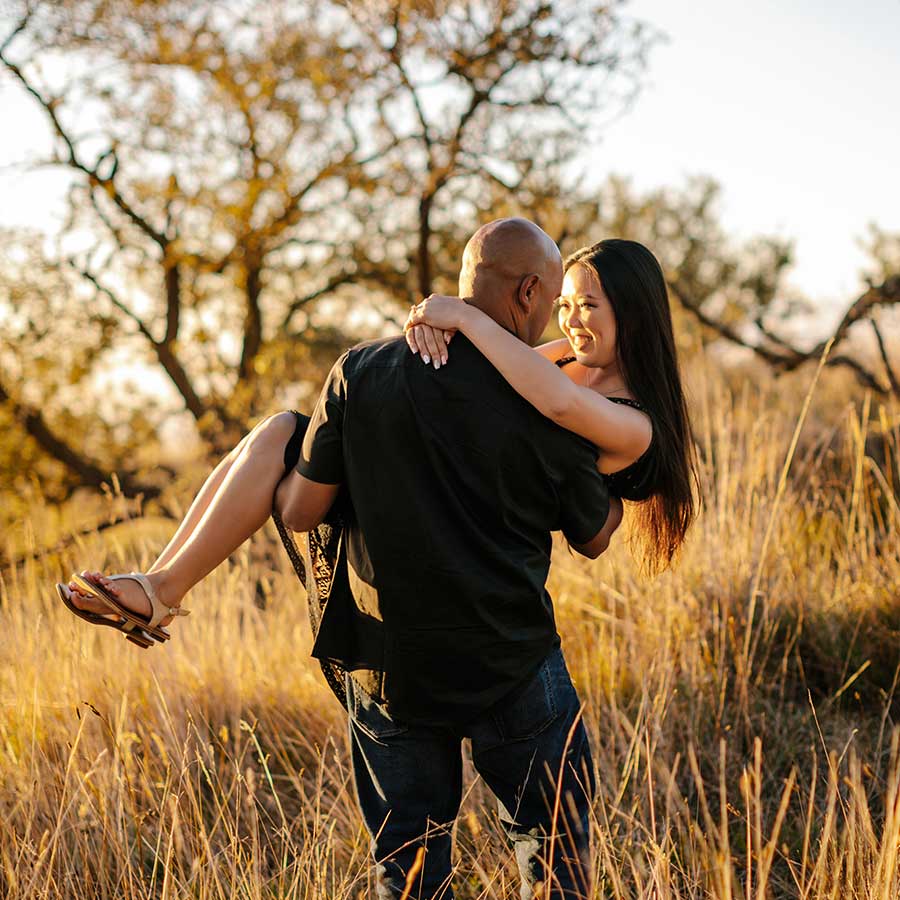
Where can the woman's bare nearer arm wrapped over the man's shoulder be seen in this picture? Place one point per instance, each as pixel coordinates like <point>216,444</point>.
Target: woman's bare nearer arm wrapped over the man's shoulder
<point>617,430</point>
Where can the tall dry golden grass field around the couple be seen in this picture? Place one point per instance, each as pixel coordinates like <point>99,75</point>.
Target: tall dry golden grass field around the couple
<point>741,706</point>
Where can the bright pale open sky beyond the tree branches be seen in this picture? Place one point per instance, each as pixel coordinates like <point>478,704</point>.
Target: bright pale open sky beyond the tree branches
<point>791,106</point>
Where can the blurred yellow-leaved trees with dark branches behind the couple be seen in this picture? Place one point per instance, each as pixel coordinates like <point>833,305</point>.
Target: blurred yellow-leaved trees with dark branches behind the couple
<point>253,187</point>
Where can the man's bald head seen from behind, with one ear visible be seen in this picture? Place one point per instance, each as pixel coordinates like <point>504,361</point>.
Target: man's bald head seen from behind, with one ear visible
<point>512,270</point>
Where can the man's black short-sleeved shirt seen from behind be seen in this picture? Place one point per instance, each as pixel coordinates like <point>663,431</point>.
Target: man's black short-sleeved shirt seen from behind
<point>456,483</point>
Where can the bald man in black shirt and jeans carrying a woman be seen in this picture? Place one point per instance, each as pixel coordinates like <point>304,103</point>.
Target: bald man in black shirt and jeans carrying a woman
<point>455,484</point>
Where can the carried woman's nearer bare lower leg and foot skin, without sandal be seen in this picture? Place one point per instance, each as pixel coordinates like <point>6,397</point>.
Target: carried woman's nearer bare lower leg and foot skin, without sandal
<point>237,507</point>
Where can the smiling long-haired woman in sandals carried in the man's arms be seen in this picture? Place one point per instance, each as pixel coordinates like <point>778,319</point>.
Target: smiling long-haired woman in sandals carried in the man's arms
<point>614,380</point>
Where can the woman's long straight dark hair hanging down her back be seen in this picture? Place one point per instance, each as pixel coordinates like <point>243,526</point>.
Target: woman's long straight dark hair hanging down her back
<point>645,344</point>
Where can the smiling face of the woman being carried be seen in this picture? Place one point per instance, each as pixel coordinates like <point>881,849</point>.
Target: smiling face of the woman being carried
<point>586,318</point>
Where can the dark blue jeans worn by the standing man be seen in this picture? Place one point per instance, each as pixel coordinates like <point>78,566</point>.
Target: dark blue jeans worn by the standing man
<point>409,786</point>
